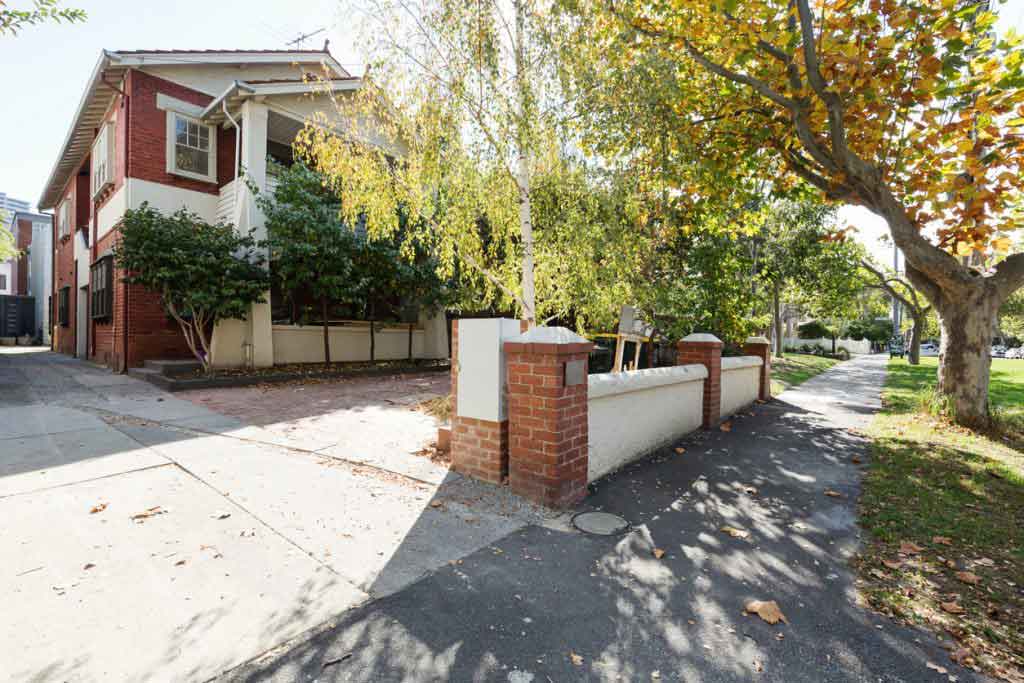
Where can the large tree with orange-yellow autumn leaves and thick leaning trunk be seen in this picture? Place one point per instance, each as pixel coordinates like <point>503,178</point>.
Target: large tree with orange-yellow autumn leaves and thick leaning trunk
<point>913,111</point>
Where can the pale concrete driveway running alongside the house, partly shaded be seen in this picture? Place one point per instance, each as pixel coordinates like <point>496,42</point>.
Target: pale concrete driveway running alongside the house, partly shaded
<point>147,537</point>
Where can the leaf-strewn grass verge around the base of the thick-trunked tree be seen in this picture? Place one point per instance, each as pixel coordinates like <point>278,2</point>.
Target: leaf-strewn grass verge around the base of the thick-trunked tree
<point>944,511</point>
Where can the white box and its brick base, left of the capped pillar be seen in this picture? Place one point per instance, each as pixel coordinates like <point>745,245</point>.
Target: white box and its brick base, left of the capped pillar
<point>480,423</point>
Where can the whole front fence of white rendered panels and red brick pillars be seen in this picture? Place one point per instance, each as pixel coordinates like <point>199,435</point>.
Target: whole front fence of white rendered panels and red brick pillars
<point>527,412</point>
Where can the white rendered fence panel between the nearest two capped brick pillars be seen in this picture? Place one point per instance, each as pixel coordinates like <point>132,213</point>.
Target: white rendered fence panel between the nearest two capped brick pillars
<point>631,414</point>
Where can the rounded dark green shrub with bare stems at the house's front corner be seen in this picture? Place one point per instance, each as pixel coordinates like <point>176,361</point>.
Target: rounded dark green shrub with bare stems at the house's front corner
<point>204,273</point>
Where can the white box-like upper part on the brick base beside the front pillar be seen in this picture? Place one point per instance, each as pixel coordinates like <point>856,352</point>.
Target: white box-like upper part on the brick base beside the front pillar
<point>482,367</point>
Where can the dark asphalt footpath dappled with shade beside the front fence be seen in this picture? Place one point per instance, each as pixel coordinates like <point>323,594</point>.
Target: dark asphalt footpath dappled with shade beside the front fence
<point>550,605</point>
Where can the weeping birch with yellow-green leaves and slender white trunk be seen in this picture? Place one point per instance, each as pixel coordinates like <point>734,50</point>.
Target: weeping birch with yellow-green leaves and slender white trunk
<point>470,96</point>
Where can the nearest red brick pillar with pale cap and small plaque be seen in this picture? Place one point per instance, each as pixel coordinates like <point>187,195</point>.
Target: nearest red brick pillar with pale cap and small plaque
<point>548,447</point>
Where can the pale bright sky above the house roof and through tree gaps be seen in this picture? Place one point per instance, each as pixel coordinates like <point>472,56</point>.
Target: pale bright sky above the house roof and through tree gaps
<point>45,70</point>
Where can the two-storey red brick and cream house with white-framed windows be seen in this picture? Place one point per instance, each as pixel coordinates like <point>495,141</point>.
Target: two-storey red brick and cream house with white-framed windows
<point>186,130</point>
